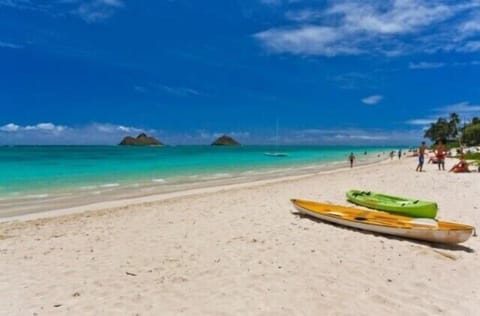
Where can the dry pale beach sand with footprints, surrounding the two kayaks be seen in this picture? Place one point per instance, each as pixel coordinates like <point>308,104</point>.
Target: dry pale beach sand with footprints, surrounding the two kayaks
<point>238,250</point>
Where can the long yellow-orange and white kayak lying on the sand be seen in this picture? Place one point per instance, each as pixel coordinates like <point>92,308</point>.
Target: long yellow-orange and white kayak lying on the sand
<point>381,222</point>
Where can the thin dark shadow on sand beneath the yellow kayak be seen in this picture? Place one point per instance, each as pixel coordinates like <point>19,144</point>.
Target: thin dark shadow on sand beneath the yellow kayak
<point>452,247</point>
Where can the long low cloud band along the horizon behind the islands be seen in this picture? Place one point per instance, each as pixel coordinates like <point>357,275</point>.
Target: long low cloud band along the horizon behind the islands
<point>112,134</point>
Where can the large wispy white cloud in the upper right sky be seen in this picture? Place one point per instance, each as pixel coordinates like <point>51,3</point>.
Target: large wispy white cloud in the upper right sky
<point>392,27</point>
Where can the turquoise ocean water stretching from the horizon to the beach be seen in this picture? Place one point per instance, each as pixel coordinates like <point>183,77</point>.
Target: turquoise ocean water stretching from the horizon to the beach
<point>56,172</point>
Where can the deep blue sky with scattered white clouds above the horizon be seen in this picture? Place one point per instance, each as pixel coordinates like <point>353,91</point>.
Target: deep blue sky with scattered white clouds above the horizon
<point>331,72</point>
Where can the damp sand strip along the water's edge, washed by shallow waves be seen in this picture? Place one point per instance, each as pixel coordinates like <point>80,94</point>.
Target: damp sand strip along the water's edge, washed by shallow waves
<point>39,205</point>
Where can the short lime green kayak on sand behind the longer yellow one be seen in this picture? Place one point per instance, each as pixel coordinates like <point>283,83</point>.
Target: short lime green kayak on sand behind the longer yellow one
<point>393,204</point>
